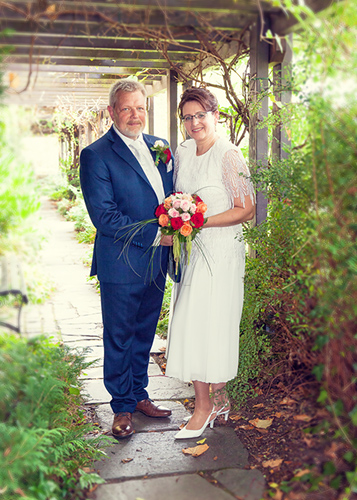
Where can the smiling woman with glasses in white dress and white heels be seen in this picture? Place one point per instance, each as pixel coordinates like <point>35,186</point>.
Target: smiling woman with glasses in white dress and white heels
<point>206,305</point>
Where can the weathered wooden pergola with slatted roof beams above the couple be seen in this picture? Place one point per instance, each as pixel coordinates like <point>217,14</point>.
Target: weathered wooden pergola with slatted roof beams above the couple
<point>75,49</point>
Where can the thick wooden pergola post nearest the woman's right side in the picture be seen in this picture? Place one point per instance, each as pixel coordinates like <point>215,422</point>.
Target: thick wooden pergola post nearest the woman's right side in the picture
<point>258,137</point>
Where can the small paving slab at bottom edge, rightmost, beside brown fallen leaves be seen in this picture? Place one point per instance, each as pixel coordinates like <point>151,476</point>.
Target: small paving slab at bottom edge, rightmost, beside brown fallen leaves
<point>245,484</point>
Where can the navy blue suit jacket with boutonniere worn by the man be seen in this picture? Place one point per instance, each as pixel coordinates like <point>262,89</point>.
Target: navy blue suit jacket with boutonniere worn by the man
<point>117,193</point>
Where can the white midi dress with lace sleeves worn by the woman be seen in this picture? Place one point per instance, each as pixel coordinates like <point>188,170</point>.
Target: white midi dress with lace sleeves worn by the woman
<point>206,306</point>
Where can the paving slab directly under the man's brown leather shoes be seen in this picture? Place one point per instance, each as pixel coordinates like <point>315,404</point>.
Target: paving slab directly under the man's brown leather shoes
<point>146,424</point>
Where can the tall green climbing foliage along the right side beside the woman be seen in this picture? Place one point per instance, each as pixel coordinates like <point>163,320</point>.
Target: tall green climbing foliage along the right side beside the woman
<point>299,317</point>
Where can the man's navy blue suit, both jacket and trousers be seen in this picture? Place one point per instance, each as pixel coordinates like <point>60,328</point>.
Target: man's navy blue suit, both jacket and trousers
<point>117,193</point>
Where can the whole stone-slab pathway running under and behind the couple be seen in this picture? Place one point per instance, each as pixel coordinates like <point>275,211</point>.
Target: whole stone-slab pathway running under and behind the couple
<point>150,465</point>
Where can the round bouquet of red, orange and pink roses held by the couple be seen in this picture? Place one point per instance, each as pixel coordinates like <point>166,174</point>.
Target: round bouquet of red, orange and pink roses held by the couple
<point>181,215</point>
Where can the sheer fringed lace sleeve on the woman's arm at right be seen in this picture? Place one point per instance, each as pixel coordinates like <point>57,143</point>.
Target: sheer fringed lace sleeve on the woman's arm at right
<point>236,176</point>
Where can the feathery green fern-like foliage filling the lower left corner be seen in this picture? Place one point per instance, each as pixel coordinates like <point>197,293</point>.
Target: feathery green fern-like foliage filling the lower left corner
<point>43,444</point>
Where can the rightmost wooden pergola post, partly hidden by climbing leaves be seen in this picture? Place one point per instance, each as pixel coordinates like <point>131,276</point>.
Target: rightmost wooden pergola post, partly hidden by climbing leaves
<point>281,77</point>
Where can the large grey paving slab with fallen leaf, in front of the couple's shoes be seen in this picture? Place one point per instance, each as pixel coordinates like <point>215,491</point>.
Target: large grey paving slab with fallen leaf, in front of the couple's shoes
<point>158,453</point>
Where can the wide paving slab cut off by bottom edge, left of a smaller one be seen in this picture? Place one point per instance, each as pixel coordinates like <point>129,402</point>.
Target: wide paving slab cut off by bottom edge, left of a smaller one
<point>188,487</point>
